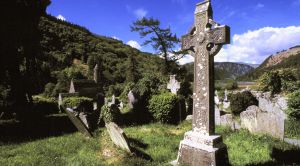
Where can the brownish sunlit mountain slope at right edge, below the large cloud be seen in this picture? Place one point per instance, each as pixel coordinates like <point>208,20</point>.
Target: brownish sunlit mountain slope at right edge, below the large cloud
<point>287,59</point>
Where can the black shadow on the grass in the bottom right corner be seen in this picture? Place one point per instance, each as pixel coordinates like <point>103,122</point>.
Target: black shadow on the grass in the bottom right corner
<point>282,157</point>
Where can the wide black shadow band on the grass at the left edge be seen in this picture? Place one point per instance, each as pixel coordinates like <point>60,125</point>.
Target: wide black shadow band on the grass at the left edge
<point>35,128</point>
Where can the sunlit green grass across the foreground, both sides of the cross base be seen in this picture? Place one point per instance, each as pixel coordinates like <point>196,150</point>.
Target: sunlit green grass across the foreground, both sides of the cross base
<point>156,141</point>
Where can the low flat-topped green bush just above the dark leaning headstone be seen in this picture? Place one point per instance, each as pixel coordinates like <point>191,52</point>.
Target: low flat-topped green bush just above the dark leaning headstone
<point>82,104</point>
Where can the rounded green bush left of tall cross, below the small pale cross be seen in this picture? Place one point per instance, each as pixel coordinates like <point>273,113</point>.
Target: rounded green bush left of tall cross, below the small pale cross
<point>165,108</point>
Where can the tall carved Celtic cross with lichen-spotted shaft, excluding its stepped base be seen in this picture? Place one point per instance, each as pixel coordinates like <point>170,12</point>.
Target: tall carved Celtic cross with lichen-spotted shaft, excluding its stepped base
<point>204,40</point>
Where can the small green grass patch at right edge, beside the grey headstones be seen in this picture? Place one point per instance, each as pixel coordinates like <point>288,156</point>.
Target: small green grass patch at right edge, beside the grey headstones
<point>292,129</point>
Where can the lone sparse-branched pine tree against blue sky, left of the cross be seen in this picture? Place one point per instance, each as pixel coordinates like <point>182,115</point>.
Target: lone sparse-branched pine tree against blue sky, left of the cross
<point>161,39</point>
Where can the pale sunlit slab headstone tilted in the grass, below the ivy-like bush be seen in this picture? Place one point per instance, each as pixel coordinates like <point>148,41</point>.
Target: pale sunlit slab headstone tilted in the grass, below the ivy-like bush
<point>118,136</point>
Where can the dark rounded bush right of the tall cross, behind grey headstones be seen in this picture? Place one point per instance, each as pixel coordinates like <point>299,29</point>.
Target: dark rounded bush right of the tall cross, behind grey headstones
<point>241,101</point>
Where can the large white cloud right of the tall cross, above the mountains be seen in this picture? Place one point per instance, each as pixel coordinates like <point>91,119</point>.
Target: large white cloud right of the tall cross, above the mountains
<point>256,46</point>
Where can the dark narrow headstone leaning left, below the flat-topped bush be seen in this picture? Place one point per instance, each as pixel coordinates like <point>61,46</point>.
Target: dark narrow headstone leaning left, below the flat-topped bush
<point>74,117</point>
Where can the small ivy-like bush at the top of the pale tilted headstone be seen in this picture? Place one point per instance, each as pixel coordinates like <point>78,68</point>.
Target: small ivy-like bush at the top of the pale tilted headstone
<point>110,114</point>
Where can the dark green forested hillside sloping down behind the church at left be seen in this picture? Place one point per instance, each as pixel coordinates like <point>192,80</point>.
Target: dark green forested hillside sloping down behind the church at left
<point>63,42</point>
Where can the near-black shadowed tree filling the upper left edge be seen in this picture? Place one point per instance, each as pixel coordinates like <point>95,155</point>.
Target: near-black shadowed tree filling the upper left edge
<point>19,47</point>
